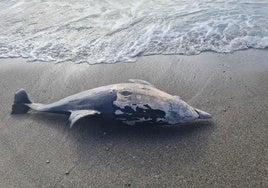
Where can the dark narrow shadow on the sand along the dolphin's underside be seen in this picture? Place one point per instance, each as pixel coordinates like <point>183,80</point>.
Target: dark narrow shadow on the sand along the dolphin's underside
<point>97,126</point>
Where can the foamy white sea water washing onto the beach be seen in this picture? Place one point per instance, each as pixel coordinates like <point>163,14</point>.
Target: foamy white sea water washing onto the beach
<point>111,31</point>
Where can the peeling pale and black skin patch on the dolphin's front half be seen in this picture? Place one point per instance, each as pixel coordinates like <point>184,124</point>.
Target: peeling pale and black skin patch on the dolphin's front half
<point>142,103</point>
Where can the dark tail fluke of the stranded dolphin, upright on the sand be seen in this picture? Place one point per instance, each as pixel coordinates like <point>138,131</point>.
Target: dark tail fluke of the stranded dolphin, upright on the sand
<point>20,102</point>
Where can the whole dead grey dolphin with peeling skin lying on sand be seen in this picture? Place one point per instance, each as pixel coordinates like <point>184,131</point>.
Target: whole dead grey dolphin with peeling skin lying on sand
<point>131,103</point>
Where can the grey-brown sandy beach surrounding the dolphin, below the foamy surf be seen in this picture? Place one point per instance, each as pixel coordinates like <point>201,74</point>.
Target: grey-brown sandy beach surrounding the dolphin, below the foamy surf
<point>39,150</point>
